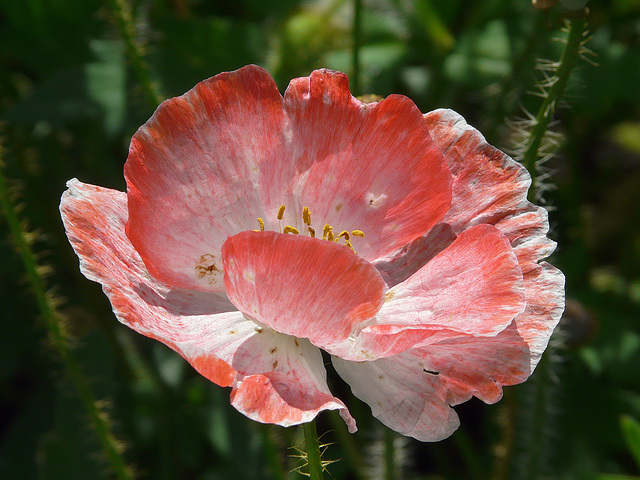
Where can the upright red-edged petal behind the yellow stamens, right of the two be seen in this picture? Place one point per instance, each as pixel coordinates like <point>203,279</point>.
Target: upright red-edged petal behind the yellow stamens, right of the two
<point>370,167</point>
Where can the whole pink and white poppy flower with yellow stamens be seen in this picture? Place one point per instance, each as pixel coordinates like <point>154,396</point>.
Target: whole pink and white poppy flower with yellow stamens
<point>258,230</point>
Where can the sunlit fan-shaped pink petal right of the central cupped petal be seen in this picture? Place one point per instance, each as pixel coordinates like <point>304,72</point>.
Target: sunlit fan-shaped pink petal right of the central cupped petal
<point>473,286</point>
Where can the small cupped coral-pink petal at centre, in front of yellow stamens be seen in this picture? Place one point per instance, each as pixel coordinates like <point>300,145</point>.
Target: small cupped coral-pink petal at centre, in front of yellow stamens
<point>301,286</point>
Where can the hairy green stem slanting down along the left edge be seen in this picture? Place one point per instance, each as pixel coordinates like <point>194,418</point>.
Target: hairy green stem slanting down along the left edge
<point>53,323</point>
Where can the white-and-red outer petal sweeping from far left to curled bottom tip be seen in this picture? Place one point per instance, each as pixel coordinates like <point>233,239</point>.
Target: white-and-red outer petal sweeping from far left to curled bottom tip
<point>204,328</point>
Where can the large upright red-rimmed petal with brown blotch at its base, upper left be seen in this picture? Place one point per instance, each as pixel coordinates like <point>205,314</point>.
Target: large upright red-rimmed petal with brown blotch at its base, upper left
<point>193,170</point>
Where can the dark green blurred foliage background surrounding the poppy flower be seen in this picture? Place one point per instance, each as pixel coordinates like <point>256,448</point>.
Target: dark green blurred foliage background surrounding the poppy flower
<point>77,77</point>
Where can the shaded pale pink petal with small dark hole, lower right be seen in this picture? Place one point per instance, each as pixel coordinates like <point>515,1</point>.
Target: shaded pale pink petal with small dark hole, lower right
<point>412,392</point>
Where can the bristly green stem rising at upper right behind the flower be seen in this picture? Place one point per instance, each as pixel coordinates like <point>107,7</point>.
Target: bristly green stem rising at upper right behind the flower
<point>568,60</point>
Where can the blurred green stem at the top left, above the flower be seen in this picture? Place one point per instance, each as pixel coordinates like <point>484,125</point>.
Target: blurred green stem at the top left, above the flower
<point>124,21</point>
